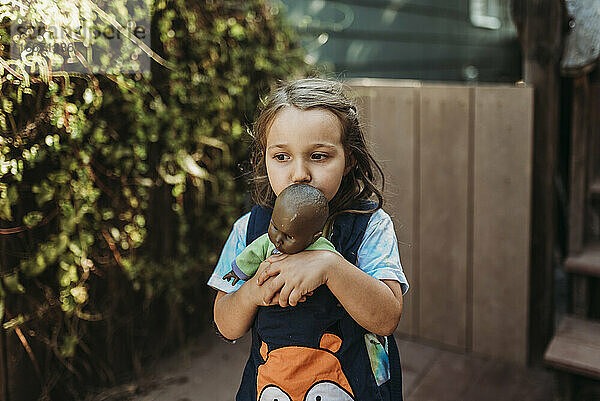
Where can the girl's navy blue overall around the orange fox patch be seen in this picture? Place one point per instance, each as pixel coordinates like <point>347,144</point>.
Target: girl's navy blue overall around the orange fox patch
<point>304,325</point>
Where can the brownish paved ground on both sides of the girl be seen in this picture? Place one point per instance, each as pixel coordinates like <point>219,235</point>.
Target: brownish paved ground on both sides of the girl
<point>211,370</point>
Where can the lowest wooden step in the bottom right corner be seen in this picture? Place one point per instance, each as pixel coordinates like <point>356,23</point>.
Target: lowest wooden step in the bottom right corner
<point>575,347</point>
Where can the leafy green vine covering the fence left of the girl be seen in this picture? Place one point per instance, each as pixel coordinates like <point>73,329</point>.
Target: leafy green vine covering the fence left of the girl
<point>119,180</point>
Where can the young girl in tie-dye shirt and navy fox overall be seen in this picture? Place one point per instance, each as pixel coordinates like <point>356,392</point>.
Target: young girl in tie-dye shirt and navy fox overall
<point>321,323</point>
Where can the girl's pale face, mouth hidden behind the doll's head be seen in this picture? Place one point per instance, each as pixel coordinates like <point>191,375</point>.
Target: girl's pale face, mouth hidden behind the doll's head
<point>305,146</point>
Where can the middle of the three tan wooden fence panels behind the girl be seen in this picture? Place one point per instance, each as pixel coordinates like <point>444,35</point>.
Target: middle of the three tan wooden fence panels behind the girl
<point>443,153</point>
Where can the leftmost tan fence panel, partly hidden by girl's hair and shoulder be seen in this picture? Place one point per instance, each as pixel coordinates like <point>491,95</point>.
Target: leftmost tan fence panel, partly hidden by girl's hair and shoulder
<point>393,140</point>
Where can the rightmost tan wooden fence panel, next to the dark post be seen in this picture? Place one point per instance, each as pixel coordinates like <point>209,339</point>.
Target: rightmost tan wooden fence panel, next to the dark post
<point>501,221</point>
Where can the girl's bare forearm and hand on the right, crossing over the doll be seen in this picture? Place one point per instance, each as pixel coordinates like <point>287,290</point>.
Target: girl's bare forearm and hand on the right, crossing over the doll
<point>374,304</point>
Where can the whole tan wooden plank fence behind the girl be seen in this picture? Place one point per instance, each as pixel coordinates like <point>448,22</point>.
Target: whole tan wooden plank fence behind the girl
<point>458,163</point>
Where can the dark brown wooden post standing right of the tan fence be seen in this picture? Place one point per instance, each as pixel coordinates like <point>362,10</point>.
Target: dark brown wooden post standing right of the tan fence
<point>540,26</point>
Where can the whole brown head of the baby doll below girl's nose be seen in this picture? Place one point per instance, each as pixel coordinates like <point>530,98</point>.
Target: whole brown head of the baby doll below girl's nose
<point>299,214</point>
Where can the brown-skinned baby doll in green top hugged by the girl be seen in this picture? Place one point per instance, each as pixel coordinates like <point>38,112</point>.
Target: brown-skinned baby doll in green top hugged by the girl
<point>299,214</point>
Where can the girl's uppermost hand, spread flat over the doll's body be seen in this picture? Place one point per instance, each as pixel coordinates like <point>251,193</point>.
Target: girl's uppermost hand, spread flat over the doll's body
<point>295,276</point>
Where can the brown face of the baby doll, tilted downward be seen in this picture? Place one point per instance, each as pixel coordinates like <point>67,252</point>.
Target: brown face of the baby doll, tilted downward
<point>292,229</point>
